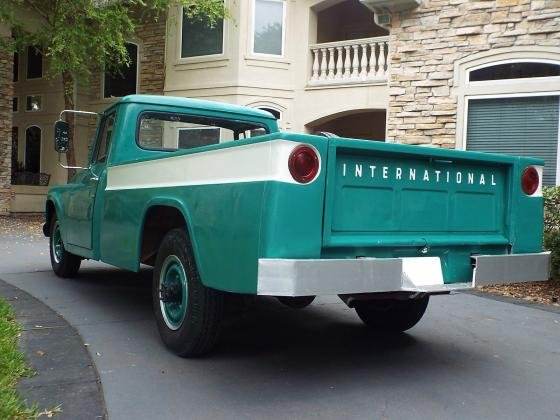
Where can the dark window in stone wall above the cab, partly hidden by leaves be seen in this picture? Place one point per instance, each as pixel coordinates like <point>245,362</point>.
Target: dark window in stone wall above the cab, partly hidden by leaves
<point>123,81</point>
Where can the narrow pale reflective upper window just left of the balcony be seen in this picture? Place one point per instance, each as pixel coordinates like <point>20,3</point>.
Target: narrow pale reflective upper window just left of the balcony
<point>268,27</point>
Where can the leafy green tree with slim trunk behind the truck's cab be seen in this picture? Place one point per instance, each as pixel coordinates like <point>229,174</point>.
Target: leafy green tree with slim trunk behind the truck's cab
<point>80,36</point>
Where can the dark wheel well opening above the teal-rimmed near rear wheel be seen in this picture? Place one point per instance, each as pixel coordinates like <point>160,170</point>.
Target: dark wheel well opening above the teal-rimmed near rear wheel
<point>158,221</point>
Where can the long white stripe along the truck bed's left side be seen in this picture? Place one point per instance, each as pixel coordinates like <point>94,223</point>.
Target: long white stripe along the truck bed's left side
<point>267,161</point>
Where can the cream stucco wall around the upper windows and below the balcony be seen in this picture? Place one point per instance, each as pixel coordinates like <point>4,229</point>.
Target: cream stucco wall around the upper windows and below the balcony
<point>238,76</point>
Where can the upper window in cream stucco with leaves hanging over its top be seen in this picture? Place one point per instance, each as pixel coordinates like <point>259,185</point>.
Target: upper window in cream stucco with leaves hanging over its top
<point>200,38</point>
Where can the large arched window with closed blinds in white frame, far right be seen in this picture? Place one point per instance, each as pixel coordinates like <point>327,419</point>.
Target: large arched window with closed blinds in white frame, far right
<point>510,120</point>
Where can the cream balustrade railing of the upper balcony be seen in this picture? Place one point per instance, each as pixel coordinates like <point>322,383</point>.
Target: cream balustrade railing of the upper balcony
<point>350,61</point>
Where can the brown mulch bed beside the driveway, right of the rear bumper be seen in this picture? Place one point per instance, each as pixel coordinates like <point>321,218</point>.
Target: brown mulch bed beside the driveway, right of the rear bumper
<point>547,292</point>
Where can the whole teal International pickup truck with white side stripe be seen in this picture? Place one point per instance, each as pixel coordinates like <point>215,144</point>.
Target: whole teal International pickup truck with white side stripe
<point>220,202</point>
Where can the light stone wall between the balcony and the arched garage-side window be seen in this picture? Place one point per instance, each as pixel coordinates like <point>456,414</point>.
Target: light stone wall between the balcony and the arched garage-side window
<point>426,43</point>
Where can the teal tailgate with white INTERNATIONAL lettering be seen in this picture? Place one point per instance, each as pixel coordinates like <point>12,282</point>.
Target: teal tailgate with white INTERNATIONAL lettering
<point>376,197</point>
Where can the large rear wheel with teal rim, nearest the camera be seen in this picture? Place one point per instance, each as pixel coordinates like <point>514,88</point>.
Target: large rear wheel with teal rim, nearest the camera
<point>196,329</point>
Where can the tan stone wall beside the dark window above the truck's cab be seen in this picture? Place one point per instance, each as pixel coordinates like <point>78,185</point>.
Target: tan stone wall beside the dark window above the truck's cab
<point>150,36</point>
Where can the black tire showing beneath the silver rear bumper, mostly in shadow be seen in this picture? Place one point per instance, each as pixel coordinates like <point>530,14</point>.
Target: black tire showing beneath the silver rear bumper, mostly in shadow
<point>391,315</point>
